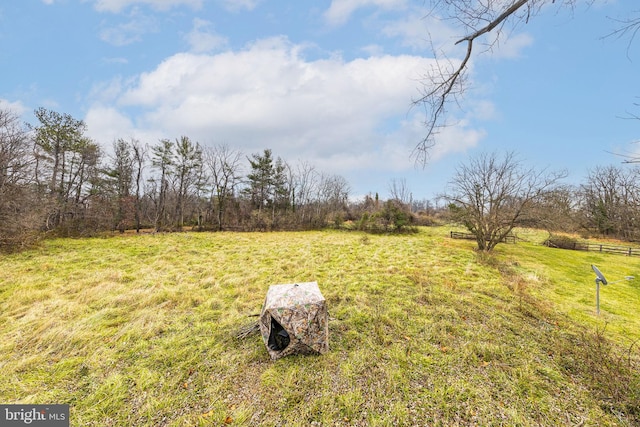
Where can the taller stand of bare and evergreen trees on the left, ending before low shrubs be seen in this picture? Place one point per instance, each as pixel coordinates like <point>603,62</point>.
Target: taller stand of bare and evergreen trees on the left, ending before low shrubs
<point>54,179</point>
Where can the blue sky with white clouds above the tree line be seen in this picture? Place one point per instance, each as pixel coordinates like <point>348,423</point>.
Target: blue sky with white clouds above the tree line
<point>325,82</point>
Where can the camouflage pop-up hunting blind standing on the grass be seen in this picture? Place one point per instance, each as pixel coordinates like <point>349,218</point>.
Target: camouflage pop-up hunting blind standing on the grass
<point>294,319</point>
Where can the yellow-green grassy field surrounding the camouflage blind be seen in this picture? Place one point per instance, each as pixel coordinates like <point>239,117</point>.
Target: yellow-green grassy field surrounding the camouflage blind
<point>141,331</point>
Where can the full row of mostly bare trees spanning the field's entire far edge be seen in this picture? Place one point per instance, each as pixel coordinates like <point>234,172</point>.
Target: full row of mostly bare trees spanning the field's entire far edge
<point>54,180</point>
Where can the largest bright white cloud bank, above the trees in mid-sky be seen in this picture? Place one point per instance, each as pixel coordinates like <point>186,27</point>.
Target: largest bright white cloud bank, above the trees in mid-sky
<point>332,112</point>
